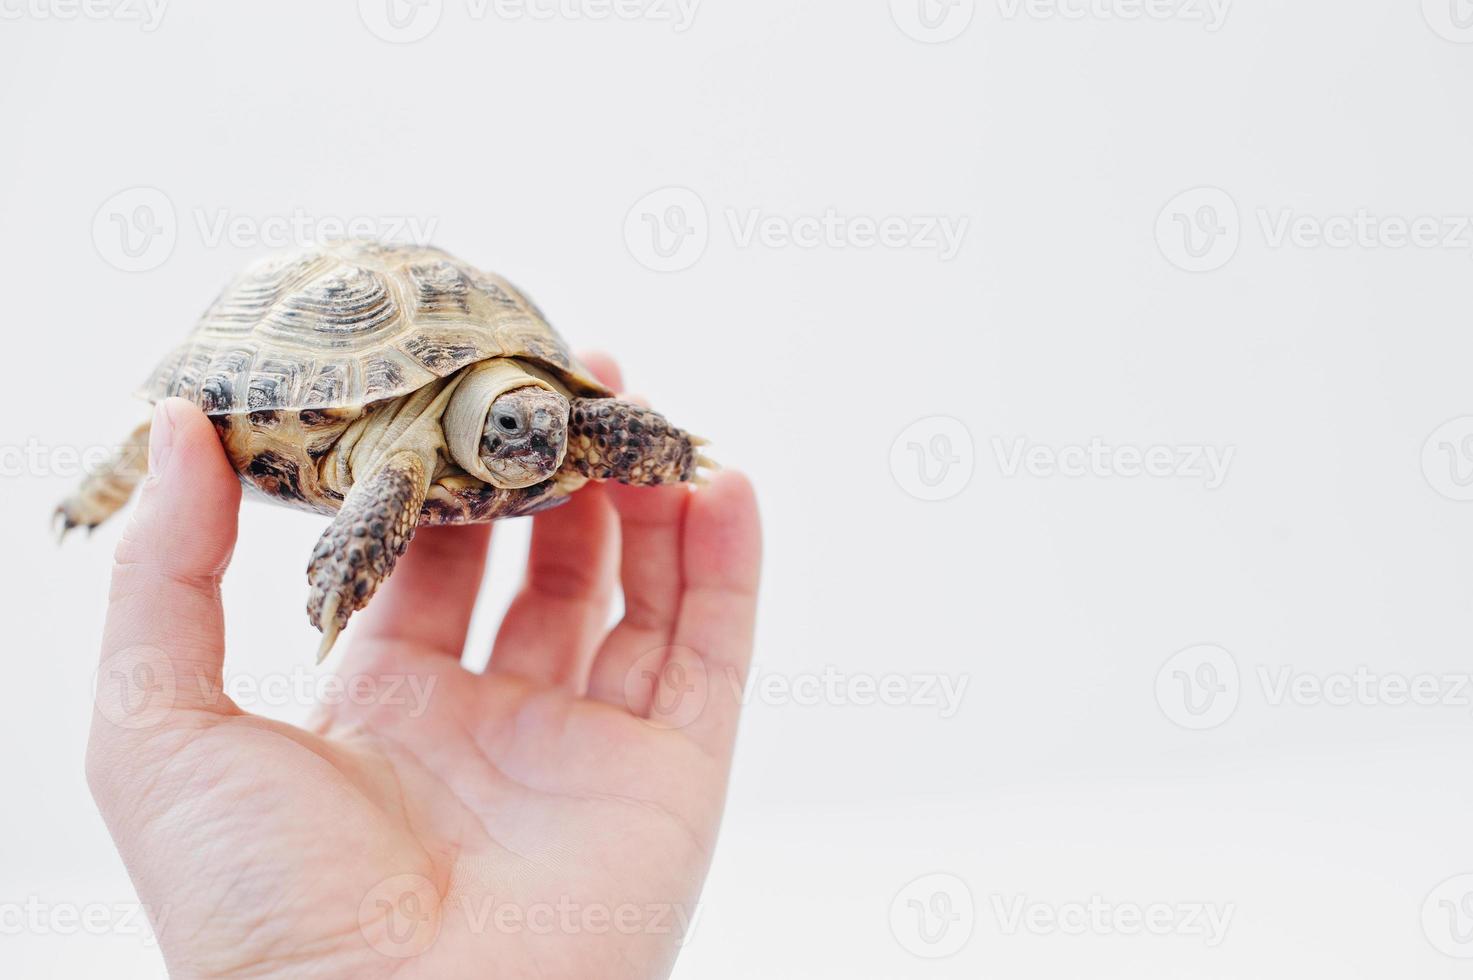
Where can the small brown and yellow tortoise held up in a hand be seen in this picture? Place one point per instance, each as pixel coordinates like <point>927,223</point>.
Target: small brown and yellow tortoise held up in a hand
<point>393,387</point>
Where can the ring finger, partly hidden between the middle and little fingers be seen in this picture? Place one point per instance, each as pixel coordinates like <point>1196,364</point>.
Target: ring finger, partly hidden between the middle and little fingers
<point>650,522</point>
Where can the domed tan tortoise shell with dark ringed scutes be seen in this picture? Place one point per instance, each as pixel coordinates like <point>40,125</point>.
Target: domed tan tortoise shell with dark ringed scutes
<point>354,323</point>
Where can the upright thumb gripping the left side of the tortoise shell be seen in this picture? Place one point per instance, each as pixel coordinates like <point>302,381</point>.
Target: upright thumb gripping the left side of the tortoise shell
<point>164,643</point>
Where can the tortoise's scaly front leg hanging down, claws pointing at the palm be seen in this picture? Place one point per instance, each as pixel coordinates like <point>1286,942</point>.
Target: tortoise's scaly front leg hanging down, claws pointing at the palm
<point>359,552</point>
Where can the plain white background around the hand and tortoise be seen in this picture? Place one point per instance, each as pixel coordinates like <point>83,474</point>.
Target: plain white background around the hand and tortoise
<point>1064,139</point>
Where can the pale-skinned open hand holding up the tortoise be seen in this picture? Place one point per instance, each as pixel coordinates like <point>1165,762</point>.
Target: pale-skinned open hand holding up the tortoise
<point>550,819</point>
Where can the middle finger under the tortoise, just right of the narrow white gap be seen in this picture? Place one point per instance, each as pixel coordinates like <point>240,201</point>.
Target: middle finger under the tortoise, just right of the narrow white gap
<point>553,627</point>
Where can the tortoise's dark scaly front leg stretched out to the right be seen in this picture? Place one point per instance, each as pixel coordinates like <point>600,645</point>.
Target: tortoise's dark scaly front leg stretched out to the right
<point>611,440</point>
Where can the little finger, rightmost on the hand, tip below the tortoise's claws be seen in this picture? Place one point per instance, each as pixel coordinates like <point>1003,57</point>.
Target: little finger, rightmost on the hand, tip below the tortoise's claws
<point>721,559</point>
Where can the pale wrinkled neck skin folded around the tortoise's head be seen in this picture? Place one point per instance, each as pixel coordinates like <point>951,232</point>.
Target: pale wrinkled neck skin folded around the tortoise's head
<point>443,422</point>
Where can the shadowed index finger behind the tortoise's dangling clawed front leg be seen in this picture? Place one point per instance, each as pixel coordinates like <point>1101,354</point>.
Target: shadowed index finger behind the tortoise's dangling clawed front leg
<point>431,598</point>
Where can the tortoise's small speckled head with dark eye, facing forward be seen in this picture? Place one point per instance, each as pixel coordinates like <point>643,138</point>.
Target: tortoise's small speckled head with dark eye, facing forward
<point>525,437</point>
